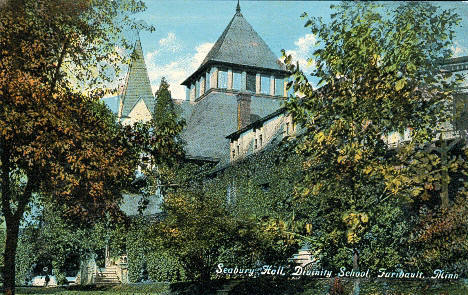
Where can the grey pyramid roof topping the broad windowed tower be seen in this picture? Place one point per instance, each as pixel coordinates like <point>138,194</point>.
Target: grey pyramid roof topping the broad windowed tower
<point>239,44</point>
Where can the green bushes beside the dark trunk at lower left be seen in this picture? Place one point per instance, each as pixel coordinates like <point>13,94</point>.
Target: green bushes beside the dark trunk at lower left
<point>50,240</point>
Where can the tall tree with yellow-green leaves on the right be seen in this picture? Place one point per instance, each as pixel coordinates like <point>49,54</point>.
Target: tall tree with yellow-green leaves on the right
<point>379,71</point>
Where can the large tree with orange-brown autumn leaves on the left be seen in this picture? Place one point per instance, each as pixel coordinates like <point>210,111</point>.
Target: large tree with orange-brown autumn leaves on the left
<point>54,139</point>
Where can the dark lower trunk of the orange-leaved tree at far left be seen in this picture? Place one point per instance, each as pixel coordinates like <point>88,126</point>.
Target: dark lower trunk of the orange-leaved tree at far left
<point>12,225</point>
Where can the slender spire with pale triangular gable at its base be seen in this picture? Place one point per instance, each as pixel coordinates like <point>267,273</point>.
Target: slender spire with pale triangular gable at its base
<point>137,101</point>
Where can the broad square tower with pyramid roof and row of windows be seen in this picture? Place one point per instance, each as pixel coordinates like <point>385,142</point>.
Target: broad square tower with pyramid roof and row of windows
<point>239,69</point>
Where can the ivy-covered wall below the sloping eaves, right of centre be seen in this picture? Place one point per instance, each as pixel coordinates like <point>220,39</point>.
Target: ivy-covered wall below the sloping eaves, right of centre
<point>260,184</point>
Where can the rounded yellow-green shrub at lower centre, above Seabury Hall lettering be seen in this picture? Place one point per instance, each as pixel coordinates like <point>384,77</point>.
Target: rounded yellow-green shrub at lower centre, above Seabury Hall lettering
<point>199,230</point>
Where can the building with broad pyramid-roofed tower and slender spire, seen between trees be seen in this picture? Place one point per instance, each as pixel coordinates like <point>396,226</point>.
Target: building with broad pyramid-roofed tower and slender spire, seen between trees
<point>233,109</point>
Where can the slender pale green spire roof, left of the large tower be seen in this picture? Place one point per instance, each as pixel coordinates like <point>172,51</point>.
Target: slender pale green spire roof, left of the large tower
<point>137,86</point>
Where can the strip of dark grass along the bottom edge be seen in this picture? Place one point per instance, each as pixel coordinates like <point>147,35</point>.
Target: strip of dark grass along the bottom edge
<point>262,287</point>
